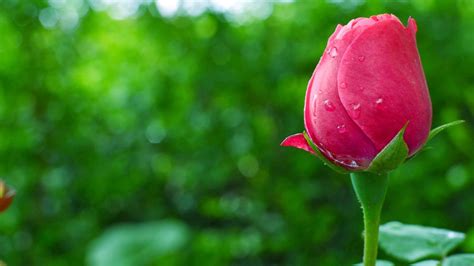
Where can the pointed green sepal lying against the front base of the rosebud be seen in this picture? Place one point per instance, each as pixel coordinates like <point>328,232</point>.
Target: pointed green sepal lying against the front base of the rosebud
<point>391,156</point>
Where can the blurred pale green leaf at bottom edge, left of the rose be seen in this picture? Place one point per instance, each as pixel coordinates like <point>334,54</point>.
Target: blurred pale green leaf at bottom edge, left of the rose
<point>137,244</point>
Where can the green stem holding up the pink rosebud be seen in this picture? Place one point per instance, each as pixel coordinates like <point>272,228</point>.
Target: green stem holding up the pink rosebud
<point>370,190</point>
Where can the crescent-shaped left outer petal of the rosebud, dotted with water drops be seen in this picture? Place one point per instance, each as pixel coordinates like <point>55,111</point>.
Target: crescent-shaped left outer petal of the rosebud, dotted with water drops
<point>326,120</point>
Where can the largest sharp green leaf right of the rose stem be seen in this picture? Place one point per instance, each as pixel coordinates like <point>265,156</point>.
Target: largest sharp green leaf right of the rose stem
<point>414,242</point>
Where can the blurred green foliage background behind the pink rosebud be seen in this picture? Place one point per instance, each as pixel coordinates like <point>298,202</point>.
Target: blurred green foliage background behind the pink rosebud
<point>141,132</point>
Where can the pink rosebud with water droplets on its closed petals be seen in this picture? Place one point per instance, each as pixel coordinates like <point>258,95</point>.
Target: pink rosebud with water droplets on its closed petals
<point>368,84</point>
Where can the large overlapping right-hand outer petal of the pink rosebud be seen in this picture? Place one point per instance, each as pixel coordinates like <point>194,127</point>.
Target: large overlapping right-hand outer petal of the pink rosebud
<point>388,85</point>
